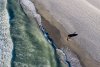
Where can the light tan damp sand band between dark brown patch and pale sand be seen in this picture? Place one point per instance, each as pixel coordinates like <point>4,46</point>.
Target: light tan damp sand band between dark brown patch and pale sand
<point>85,59</point>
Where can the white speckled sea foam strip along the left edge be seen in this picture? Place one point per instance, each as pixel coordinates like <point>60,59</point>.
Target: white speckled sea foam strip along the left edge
<point>6,45</point>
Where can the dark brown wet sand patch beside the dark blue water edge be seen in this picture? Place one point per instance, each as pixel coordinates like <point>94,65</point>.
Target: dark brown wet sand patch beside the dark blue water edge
<point>53,32</point>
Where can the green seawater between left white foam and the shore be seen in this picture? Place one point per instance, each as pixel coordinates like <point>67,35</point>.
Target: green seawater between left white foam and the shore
<point>30,47</point>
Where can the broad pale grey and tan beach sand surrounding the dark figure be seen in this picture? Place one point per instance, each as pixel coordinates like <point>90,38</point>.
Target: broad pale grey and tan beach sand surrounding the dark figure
<point>86,23</point>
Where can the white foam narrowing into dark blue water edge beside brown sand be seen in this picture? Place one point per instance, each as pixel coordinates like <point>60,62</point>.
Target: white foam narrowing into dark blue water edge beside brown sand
<point>27,5</point>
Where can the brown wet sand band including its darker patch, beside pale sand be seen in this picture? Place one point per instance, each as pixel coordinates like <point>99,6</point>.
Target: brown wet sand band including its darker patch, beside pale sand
<point>60,37</point>
